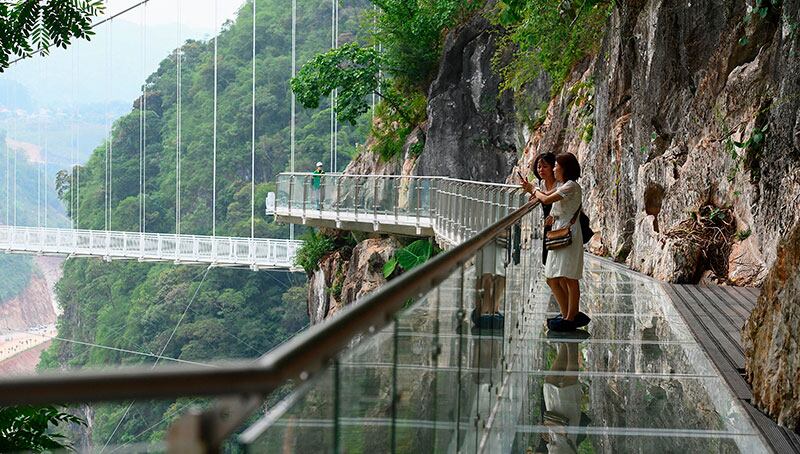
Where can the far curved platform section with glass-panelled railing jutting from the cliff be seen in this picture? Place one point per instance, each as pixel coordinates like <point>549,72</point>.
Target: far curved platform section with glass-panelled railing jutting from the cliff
<point>453,209</point>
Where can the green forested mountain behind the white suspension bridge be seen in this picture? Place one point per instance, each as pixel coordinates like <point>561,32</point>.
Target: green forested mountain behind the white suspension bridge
<point>186,312</point>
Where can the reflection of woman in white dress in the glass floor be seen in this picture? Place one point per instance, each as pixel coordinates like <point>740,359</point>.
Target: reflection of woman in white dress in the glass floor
<point>562,395</point>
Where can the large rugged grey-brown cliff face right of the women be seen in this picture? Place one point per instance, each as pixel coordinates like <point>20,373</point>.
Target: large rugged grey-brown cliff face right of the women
<point>679,115</point>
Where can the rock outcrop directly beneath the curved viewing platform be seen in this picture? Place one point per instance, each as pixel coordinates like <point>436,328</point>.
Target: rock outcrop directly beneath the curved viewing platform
<point>344,276</point>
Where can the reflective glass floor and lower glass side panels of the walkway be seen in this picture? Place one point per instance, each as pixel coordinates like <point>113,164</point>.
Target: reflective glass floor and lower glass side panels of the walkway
<point>634,380</point>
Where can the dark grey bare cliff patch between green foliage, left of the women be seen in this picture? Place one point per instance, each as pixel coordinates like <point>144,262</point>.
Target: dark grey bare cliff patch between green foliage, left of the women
<point>471,126</point>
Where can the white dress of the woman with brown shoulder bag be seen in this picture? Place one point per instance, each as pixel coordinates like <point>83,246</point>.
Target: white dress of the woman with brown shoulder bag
<point>567,261</point>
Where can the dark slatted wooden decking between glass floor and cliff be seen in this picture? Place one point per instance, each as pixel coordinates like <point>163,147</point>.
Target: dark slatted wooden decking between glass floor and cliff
<point>716,316</point>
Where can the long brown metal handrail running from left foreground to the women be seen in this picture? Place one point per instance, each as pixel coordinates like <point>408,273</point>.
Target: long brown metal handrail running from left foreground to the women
<point>303,356</point>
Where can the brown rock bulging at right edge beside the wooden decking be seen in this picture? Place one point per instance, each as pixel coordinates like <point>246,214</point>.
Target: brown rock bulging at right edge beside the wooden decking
<point>772,346</point>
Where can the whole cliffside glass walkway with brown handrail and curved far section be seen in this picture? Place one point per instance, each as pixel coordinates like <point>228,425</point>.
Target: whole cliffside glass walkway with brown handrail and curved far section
<point>412,368</point>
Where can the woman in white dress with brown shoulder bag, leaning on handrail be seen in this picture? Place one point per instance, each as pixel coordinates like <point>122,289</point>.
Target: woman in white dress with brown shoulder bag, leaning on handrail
<point>564,266</point>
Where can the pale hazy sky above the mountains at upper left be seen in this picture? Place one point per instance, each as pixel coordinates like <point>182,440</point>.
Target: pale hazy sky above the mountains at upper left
<point>50,80</point>
